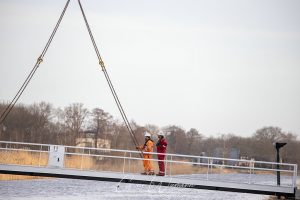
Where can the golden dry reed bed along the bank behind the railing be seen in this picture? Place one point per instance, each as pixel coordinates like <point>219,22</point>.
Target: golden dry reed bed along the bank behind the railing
<point>88,162</point>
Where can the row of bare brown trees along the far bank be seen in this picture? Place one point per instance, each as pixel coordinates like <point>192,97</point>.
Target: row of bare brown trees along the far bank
<point>43,123</point>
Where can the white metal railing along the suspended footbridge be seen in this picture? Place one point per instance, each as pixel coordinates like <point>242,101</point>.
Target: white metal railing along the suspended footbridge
<point>129,161</point>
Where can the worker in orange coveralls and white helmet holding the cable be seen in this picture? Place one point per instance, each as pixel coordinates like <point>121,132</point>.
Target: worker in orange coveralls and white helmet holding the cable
<point>147,147</point>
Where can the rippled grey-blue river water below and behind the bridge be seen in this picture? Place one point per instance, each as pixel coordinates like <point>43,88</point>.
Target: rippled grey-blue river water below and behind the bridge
<point>62,189</point>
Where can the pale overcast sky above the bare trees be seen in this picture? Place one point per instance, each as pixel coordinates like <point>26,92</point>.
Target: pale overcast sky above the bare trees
<point>217,66</point>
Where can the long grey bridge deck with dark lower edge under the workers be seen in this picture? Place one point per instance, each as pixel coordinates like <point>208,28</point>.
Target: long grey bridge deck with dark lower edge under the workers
<point>172,181</point>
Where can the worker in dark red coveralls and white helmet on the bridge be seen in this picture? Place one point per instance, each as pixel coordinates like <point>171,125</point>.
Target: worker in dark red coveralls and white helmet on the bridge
<point>161,147</point>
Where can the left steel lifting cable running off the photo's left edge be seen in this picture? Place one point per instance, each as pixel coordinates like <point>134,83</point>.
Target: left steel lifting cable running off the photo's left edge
<point>32,72</point>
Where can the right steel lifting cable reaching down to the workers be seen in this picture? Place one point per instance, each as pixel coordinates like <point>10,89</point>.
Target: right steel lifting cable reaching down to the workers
<point>101,63</point>
